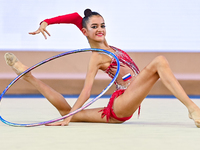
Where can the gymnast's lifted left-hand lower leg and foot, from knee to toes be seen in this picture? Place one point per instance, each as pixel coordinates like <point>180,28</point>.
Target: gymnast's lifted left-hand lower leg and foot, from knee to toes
<point>55,98</point>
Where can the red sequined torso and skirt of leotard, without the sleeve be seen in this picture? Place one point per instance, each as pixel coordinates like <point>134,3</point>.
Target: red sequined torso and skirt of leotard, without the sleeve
<point>124,59</point>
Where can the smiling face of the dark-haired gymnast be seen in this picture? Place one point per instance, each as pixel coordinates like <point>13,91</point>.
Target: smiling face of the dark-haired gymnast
<point>95,30</point>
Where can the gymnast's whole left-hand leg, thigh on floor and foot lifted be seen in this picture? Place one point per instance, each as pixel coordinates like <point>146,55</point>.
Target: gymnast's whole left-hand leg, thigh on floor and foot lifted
<point>55,98</point>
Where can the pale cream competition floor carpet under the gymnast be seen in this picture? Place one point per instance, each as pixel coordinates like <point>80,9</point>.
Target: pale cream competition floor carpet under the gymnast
<point>162,125</point>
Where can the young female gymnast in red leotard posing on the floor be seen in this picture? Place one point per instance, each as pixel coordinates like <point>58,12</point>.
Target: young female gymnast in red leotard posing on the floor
<point>132,86</point>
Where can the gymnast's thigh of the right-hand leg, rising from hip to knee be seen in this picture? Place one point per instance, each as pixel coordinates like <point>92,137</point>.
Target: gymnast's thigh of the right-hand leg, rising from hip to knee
<point>127,103</point>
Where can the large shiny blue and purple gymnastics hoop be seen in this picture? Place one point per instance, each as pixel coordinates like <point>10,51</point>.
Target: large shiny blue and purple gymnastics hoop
<point>50,59</point>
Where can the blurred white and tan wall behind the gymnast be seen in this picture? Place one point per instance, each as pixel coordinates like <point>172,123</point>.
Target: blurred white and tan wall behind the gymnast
<point>144,29</point>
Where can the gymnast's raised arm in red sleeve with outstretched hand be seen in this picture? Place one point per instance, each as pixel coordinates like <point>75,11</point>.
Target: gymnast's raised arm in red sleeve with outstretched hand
<point>73,18</point>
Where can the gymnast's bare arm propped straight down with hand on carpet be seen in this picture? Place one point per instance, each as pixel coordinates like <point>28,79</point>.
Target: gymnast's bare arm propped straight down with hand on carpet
<point>94,65</point>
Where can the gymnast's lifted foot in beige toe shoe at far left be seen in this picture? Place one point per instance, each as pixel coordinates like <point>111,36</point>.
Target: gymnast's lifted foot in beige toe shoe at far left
<point>16,65</point>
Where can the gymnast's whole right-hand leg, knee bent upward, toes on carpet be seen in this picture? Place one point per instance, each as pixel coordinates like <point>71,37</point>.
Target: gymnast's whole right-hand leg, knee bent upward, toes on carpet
<point>126,104</point>
